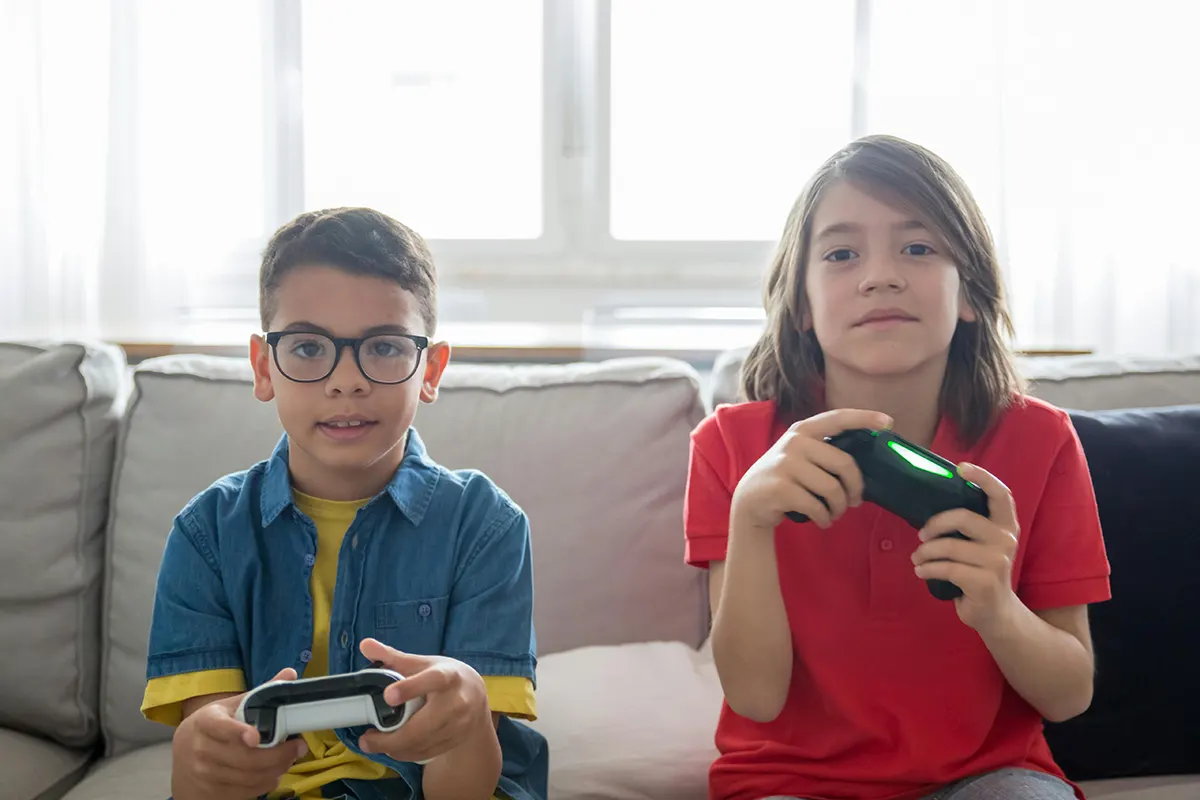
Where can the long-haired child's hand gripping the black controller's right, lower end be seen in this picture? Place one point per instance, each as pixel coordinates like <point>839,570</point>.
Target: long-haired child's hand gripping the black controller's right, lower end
<point>981,568</point>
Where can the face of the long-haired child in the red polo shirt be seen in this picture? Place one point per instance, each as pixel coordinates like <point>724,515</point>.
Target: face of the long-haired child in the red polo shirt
<point>884,294</point>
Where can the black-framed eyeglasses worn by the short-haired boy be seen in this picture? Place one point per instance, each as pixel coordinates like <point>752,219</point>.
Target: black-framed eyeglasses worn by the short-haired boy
<point>309,358</point>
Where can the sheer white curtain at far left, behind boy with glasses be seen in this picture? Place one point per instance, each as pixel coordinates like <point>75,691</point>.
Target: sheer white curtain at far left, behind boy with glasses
<point>131,172</point>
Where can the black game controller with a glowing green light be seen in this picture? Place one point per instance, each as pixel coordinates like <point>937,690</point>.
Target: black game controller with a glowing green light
<point>909,482</point>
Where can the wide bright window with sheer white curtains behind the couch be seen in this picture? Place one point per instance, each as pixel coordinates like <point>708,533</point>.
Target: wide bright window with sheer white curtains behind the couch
<point>572,158</point>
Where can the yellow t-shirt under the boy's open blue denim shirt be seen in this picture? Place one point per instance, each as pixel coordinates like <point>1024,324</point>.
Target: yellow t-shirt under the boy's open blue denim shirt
<point>328,759</point>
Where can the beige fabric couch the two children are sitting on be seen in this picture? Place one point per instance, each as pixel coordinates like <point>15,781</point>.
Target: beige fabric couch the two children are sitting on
<point>97,459</point>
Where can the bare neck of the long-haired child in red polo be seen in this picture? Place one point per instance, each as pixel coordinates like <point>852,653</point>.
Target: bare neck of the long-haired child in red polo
<point>910,399</point>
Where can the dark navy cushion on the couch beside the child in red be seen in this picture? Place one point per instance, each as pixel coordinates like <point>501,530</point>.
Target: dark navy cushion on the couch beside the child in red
<point>1145,717</point>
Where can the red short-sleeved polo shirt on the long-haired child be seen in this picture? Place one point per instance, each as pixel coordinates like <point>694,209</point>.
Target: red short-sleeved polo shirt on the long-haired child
<point>892,696</point>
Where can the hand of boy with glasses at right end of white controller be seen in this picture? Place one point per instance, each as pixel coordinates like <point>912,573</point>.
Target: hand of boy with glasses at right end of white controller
<point>455,705</point>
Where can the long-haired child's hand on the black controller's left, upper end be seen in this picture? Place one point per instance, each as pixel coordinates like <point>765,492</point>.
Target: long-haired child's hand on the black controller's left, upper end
<point>802,466</point>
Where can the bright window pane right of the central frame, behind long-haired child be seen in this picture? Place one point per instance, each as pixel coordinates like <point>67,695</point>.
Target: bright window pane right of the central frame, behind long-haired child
<point>717,116</point>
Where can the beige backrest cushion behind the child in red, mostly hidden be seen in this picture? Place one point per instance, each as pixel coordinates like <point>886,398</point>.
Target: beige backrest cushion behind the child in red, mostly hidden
<point>1087,383</point>
